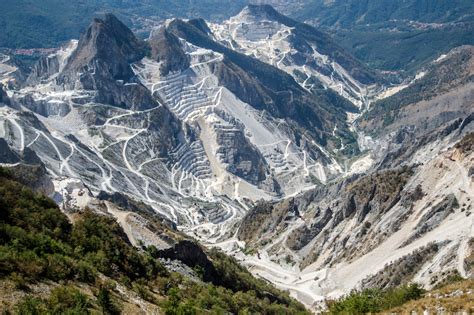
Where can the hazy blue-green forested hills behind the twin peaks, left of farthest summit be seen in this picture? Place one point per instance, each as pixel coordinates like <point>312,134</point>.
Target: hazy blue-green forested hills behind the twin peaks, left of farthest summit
<point>47,23</point>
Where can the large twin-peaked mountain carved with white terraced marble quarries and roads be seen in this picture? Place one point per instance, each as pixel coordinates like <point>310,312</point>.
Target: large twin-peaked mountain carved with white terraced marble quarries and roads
<point>179,121</point>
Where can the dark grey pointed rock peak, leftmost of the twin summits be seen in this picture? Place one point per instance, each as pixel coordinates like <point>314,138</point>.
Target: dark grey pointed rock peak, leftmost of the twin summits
<point>101,63</point>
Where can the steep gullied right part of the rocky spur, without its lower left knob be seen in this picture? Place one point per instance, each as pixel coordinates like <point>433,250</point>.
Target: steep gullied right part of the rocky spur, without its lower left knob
<point>363,203</point>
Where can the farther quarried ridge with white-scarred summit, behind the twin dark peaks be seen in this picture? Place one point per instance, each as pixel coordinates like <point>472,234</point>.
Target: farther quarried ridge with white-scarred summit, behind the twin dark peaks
<point>314,60</point>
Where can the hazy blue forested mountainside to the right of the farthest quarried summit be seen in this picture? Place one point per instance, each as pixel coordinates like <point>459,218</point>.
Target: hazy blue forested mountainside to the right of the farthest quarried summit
<point>392,34</point>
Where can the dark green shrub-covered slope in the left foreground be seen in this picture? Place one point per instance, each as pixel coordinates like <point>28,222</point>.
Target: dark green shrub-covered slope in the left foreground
<point>39,245</point>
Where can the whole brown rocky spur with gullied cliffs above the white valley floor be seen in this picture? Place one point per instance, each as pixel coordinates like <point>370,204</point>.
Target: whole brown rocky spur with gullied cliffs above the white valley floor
<point>362,202</point>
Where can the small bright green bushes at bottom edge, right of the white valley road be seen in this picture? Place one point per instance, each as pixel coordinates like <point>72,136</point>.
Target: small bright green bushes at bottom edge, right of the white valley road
<point>375,300</point>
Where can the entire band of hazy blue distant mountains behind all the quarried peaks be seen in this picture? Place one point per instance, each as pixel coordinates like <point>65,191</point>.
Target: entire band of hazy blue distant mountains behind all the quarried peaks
<point>387,35</point>
